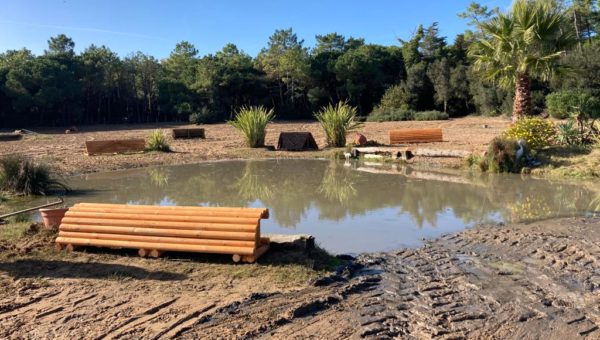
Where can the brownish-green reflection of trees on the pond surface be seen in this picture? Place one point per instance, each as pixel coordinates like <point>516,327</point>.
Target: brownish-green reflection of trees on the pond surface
<point>293,188</point>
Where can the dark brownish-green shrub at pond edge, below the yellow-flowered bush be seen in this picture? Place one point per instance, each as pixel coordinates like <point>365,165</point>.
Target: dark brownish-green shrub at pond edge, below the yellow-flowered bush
<point>501,156</point>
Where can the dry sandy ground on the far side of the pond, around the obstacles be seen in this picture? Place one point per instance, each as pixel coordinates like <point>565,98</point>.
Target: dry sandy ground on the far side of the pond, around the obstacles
<point>66,152</point>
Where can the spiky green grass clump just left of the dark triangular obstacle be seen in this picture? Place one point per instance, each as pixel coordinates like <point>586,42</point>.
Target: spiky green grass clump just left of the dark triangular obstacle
<point>253,121</point>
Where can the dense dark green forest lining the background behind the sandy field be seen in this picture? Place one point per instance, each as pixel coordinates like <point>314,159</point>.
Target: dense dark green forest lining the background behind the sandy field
<point>425,72</point>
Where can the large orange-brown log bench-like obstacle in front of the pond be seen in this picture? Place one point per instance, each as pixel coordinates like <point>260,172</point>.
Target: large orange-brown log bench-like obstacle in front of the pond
<point>156,229</point>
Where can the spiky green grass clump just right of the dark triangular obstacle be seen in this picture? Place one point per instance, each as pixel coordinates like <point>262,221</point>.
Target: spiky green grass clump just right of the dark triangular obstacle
<point>337,121</point>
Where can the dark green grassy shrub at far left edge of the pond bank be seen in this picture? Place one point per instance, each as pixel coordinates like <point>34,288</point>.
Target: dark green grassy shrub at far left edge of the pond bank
<point>19,175</point>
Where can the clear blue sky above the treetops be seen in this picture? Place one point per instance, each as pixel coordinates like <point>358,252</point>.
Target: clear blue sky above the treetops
<point>155,27</point>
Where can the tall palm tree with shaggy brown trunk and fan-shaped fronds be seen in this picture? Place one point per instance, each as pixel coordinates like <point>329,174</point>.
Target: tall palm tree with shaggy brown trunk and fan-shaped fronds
<point>526,42</point>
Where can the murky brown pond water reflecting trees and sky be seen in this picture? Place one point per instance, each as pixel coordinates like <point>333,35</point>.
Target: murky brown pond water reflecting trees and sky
<point>348,208</point>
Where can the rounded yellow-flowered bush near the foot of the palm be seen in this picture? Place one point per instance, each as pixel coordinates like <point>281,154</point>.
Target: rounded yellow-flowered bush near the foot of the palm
<point>538,133</point>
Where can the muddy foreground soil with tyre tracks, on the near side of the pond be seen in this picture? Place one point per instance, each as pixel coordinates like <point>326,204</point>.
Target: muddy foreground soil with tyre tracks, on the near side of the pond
<point>540,280</point>
